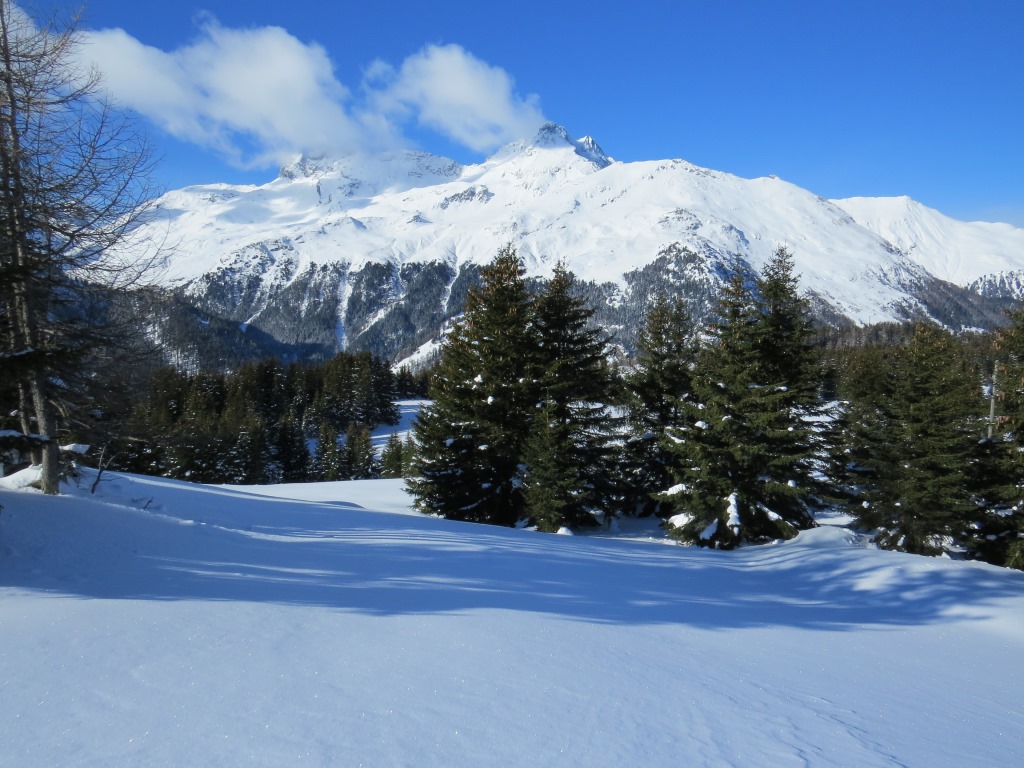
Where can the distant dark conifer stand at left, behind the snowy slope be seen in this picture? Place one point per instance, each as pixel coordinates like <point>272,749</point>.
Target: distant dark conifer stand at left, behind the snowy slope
<point>263,423</point>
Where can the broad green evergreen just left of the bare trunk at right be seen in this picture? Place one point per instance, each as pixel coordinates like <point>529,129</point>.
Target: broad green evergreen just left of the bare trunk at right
<point>915,445</point>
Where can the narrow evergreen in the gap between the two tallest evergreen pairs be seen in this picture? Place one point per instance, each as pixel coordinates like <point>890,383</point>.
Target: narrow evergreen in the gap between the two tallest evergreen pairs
<point>657,389</point>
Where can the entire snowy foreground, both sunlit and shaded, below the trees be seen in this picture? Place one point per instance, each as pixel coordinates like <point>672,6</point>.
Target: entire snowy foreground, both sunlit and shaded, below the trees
<point>161,624</point>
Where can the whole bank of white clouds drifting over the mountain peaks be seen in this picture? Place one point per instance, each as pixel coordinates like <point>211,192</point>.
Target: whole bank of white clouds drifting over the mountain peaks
<point>258,97</point>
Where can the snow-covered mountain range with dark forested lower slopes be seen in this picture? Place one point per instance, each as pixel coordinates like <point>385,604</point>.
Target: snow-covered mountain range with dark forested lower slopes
<point>377,253</point>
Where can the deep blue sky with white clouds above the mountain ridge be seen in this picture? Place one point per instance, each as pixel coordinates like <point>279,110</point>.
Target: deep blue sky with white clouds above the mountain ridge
<point>844,99</point>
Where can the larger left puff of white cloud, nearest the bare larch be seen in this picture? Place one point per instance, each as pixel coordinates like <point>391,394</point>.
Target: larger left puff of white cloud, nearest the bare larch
<point>253,96</point>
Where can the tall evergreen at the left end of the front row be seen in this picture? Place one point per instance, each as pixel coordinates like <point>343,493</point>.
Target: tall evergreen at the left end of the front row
<point>472,438</point>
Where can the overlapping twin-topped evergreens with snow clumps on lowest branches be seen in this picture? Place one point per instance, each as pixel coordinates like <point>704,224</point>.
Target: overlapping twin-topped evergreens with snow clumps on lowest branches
<point>745,454</point>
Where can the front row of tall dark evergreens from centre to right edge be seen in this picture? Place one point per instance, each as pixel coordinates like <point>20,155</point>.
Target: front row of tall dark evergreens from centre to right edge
<point>738,432</point>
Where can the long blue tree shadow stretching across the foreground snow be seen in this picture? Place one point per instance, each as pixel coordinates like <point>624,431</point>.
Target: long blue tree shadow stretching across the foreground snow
<point>240,547</point>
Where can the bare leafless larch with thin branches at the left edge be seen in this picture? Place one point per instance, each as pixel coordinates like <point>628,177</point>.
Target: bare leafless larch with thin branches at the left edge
<point>74,177</point>
